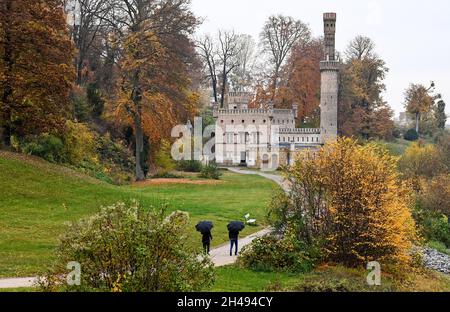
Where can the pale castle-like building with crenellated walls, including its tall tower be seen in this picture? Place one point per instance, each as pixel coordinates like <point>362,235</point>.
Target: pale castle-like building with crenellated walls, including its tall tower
<point>268,138</point>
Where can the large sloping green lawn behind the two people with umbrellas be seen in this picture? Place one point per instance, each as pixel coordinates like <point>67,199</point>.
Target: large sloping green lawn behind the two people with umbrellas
<point>38,198</point>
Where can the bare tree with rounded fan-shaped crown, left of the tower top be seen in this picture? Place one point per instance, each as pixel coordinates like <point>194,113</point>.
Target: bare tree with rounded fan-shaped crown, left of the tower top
<point>278,37</point>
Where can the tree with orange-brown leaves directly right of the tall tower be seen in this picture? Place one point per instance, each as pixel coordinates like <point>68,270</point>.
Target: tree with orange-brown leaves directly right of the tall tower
<point>362,110</point>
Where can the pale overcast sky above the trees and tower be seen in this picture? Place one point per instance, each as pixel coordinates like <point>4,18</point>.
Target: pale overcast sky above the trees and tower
<point>413,37</point>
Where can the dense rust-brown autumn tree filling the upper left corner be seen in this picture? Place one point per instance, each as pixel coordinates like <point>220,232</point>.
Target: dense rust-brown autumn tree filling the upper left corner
<point>36,71</point>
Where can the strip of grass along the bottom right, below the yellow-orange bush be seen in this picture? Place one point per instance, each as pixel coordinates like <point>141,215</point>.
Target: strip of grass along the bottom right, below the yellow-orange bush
<point>325,279</point>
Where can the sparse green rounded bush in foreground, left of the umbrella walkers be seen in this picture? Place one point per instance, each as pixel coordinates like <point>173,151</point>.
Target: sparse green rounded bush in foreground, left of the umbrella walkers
<point>125,248</point>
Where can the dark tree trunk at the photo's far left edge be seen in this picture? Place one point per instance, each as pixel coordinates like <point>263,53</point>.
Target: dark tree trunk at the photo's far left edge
<point>7,89</point>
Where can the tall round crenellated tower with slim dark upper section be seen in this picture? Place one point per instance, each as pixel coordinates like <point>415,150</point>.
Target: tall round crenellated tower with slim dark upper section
<point>329,69</point>
